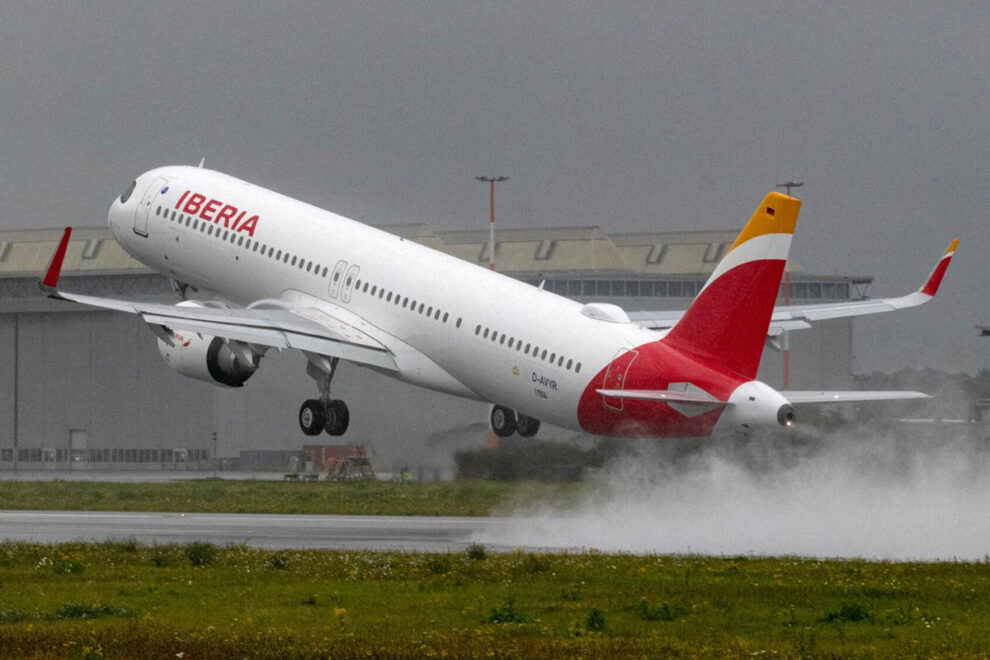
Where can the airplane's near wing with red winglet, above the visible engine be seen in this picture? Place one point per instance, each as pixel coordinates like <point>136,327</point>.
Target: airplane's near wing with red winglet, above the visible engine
<point>303,328</point>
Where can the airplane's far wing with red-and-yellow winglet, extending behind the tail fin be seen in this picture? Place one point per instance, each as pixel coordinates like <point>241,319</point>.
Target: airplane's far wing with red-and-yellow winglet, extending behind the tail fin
<point>798,317</point>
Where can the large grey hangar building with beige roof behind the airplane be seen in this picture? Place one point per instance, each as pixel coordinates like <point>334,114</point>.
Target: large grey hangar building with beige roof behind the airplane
<point>83,388</point>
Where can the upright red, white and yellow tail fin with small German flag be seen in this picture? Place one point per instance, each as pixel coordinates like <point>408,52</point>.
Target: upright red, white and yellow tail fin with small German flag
<point>727,323</point>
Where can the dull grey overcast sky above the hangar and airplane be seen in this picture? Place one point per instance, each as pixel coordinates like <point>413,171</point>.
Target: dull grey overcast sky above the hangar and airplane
<point>630,116</point>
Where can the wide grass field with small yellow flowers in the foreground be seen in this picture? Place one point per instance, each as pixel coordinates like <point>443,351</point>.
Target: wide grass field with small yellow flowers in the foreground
<point>135,601</point>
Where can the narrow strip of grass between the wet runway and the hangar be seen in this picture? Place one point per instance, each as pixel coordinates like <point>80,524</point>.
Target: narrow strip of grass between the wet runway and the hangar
<point>453,498</point>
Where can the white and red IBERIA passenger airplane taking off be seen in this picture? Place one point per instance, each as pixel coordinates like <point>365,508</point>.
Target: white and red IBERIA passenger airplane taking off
<point>284,274</point>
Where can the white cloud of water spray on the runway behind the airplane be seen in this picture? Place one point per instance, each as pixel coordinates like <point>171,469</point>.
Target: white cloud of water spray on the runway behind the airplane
<point>867,495</point>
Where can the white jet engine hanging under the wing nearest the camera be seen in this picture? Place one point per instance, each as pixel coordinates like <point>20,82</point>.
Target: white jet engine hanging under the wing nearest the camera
<point>207,358</point>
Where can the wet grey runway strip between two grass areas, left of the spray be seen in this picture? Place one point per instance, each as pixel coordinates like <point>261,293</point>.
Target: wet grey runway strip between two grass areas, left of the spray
<point>270,531</point>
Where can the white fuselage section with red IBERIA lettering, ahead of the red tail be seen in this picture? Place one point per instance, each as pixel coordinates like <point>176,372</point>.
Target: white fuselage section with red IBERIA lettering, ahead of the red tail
<point>436,313</point>
